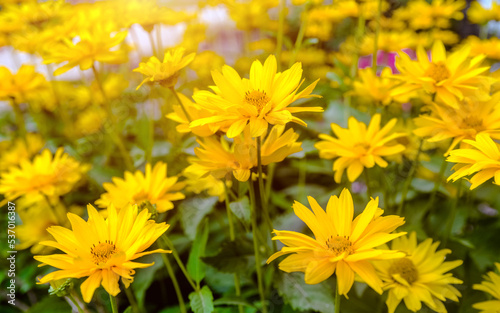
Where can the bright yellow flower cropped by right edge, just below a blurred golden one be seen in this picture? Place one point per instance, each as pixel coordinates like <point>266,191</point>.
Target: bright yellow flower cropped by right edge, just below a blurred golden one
<point>483,158</point>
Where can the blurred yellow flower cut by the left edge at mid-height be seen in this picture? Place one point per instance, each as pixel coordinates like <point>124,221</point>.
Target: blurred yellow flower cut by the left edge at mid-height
<point>51,176</point>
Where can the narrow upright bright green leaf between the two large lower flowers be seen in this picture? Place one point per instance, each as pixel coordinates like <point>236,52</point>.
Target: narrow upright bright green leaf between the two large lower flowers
<point>195,267</point>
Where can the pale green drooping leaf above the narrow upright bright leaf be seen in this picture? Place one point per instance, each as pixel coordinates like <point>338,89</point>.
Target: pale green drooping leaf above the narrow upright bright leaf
<point>193,211</point>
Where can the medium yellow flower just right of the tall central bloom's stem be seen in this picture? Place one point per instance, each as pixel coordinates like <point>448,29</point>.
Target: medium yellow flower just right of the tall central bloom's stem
<point>358,147</point>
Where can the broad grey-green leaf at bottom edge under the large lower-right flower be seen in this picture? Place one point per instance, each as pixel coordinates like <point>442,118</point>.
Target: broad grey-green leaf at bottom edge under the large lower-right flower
<point>302,296</point>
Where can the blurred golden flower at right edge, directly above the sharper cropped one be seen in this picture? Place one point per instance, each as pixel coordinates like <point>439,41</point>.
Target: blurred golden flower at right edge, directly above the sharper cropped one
<point>471,118</point>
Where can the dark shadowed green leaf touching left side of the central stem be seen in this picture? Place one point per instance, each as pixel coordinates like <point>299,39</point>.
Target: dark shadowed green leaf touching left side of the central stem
<point>233,257</point>
